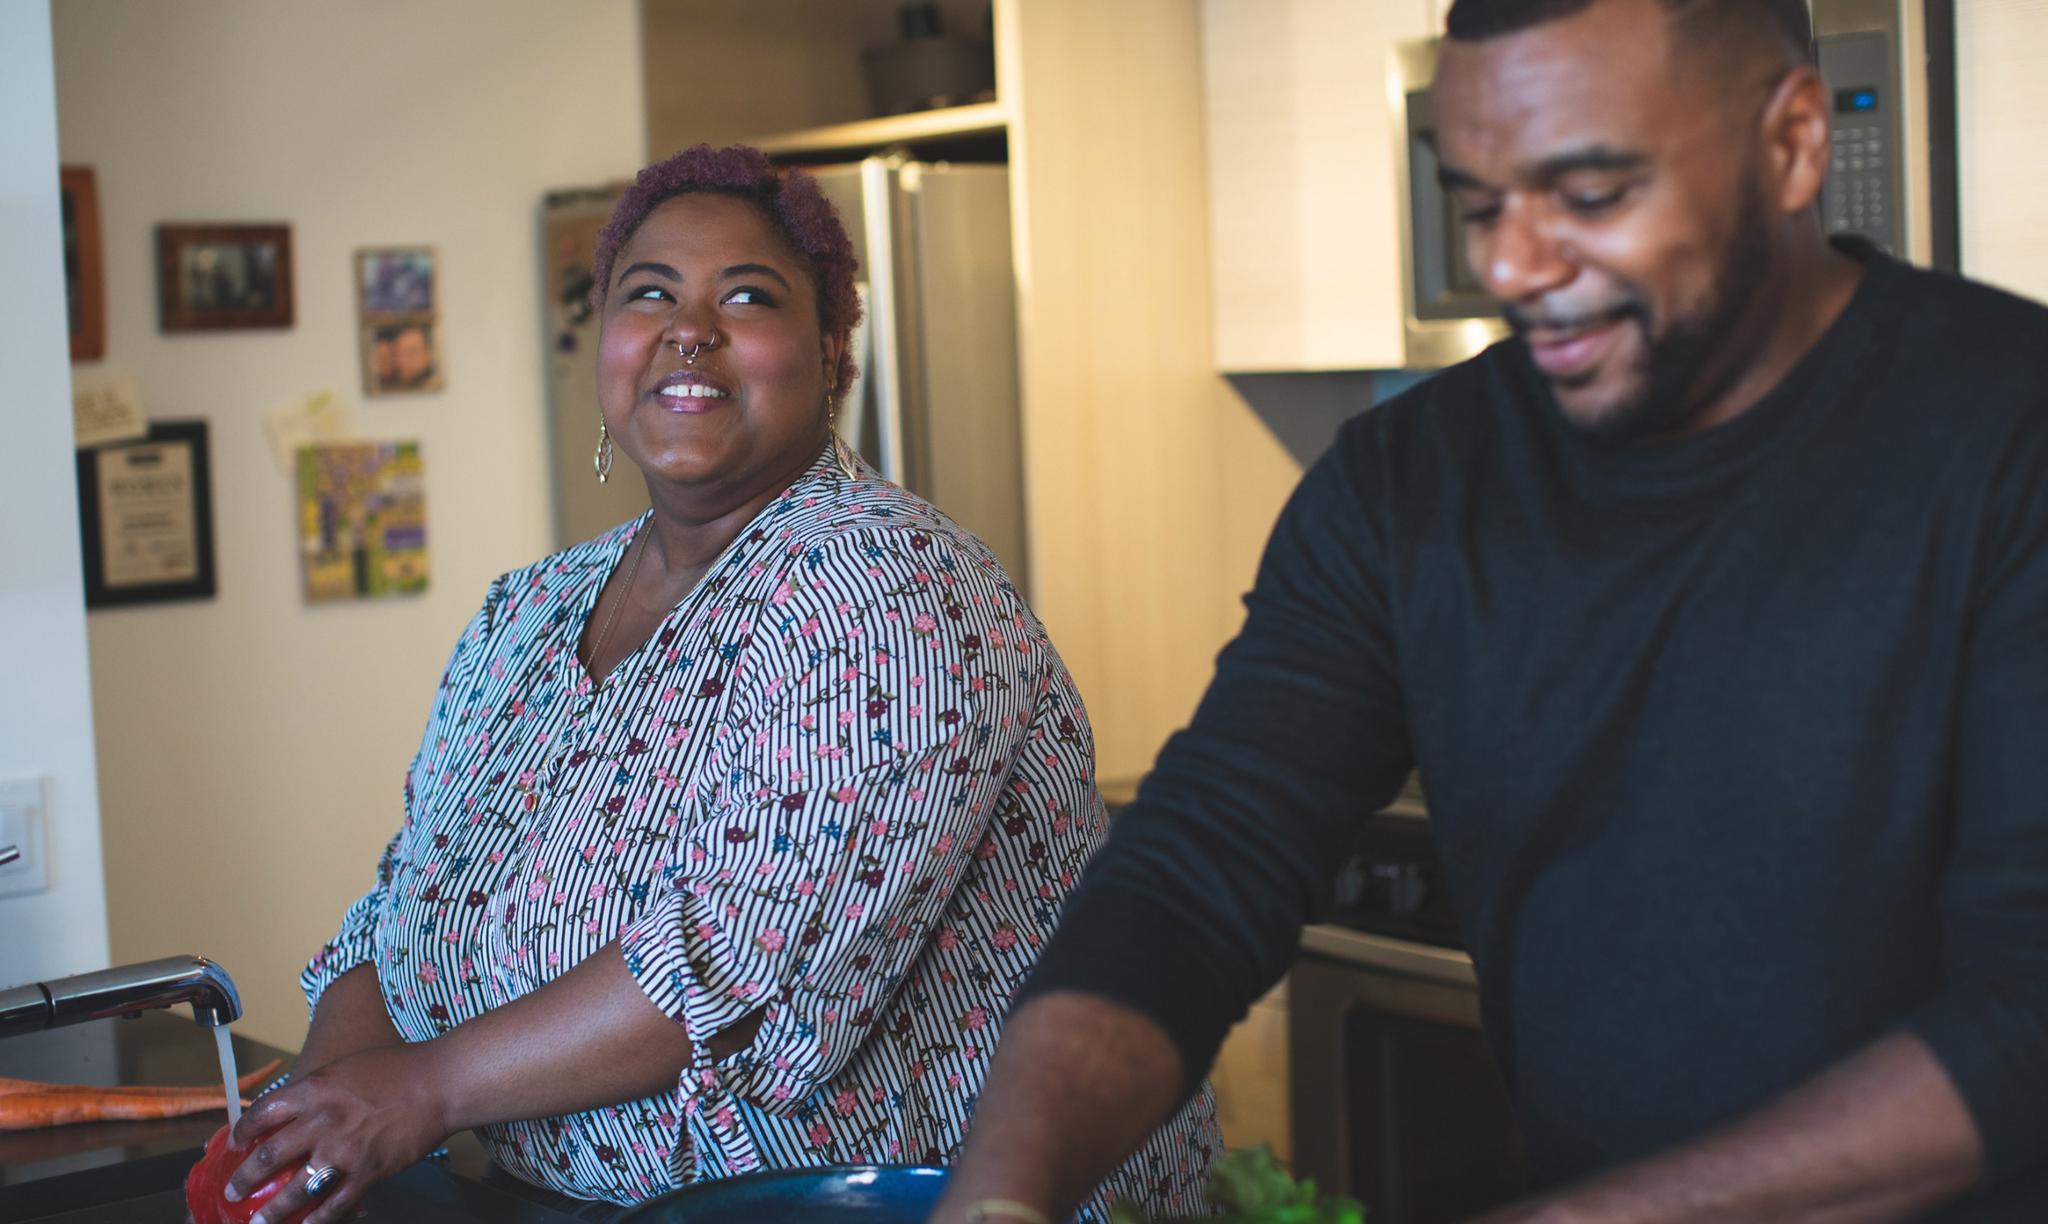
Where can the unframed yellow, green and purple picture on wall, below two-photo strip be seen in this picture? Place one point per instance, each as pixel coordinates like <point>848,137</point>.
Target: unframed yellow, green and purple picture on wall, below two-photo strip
<point>361,521</point>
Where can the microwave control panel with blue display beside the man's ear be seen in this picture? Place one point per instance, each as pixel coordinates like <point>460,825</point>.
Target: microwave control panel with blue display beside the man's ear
<point>1863,179</point>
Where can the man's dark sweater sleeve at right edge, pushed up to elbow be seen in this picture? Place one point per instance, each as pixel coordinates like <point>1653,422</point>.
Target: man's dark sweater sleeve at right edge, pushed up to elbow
<point>1990,1024</point>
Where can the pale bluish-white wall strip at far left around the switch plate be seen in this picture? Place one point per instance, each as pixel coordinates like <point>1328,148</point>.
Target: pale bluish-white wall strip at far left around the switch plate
<point>46,717</point>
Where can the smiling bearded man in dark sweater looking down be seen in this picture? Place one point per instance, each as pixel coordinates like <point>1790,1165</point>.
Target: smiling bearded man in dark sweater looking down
<point>1715,613</point>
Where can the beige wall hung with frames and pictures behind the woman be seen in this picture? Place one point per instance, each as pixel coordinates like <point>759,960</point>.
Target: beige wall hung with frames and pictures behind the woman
<point>253,746</point>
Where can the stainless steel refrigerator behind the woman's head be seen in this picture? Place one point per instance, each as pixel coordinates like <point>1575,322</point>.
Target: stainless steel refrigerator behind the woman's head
<point>937,400</point>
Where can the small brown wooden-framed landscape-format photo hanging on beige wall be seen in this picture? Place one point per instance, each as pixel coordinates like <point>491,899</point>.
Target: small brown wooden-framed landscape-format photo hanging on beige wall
<point>224,277</point>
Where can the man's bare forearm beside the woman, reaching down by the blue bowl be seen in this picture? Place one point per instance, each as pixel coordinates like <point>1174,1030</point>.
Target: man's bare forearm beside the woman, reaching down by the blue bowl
<point>1080,1084</point>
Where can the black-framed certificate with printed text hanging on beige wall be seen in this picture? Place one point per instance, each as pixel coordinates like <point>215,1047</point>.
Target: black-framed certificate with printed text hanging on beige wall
<point>146,515</point>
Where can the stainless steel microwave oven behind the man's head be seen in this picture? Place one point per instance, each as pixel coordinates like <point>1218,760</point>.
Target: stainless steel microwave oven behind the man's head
<point>1891,73</point>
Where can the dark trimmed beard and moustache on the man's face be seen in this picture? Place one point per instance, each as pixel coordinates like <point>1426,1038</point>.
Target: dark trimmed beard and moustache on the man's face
<point>1674,367</point>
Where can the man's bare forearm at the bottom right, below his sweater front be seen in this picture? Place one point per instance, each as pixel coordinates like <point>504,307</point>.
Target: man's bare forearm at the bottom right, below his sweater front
<point>1879,1137</point>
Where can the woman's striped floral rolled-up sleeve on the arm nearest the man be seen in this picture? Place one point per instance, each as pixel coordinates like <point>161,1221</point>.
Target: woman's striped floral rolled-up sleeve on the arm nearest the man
<point>871,734</point>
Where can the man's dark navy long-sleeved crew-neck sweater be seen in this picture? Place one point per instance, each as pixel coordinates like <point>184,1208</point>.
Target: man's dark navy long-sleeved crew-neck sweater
<point>1736,746</point>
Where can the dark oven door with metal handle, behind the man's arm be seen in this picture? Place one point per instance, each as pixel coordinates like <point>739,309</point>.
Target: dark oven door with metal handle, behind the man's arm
<point>1396,1096</point>
